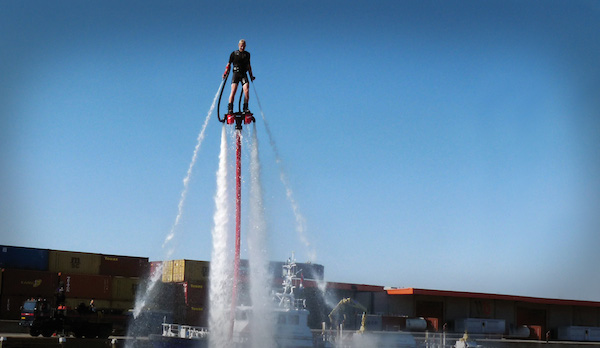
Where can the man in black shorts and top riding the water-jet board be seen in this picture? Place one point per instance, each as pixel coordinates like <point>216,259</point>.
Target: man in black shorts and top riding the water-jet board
<point>241,65</point>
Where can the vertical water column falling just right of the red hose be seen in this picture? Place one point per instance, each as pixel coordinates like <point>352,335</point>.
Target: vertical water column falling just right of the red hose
<point>263,324</point>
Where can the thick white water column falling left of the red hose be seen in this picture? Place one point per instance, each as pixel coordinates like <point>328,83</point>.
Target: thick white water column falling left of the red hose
<point>220,267</point>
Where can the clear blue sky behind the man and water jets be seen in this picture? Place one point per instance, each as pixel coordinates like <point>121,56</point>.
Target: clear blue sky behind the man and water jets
<point>449,145</point>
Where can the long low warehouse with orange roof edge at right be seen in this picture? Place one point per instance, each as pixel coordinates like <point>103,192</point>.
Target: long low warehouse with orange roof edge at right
<point>538,318</point>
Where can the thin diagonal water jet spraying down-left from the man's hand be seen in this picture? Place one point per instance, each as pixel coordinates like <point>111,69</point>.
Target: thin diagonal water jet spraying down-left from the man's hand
<point>146,293</point>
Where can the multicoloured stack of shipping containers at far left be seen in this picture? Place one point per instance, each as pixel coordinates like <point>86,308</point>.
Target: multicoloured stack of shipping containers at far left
<point>110,280</point>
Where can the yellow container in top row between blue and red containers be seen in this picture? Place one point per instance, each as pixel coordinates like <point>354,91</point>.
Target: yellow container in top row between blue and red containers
<point>74,262</point>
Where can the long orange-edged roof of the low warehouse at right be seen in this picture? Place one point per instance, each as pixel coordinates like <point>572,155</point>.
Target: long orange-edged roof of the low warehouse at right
<point>447,293</point>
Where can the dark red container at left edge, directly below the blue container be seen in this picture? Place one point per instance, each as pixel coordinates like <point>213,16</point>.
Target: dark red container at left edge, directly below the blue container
<point>29,283</point>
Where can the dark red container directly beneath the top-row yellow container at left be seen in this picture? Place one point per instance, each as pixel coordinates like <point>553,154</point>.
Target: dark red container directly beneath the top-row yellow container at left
<point>87,286</point>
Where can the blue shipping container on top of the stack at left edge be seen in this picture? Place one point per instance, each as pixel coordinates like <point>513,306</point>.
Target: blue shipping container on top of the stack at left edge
<point>23,258</point>
